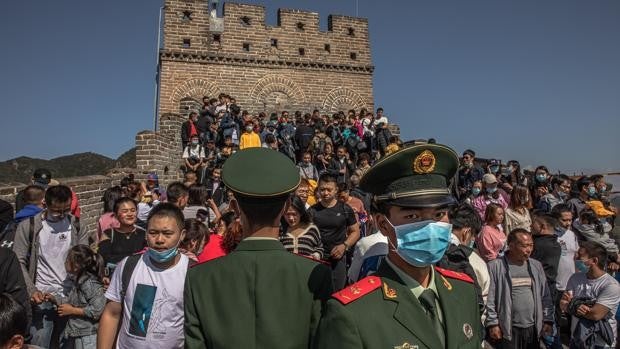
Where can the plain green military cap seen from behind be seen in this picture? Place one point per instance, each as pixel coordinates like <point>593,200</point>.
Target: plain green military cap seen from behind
<point>260,173</point>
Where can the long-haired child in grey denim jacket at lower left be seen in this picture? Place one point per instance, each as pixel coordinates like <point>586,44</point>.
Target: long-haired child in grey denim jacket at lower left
<point>85,302</point>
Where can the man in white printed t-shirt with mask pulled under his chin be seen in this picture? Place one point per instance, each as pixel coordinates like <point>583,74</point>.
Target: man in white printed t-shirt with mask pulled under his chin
<point>151,312</point>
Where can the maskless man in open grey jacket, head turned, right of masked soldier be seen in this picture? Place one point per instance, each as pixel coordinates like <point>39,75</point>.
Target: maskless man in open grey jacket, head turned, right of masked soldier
<point>519,306</point>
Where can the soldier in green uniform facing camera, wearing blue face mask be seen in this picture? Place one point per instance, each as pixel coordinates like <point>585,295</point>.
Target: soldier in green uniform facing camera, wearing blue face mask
<point>408,303</point>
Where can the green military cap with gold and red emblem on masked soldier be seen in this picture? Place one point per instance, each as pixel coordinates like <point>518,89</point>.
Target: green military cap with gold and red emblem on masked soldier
<point>416,176</point>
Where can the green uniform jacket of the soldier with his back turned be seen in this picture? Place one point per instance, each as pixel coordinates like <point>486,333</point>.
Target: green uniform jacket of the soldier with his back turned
<point>259,296</point>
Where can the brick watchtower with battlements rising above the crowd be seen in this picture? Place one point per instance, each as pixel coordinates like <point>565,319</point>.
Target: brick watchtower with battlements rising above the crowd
<point>291,66</point>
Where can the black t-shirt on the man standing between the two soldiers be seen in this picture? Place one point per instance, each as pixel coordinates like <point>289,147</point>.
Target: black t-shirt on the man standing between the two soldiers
<point>333,223</point>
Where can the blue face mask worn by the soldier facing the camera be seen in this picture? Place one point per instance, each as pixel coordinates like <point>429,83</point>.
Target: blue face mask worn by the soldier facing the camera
<point>422,243</point>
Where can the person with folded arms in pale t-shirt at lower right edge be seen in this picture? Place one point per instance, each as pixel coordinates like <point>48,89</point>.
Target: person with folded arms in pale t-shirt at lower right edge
<point>592,283</point>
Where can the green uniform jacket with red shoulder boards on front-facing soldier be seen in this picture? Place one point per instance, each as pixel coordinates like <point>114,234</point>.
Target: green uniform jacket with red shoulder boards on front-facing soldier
<point>390,316</point>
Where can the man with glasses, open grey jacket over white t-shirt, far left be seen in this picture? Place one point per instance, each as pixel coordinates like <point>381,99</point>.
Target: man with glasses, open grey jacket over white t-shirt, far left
<point>41,246</point>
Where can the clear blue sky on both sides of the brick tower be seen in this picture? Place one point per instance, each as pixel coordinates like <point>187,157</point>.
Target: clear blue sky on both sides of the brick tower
<point>535,81</point>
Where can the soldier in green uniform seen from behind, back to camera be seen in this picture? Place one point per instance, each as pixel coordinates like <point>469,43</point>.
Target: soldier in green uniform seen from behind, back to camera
<point>260,295</point>
